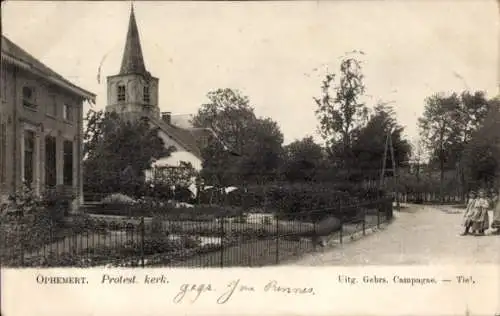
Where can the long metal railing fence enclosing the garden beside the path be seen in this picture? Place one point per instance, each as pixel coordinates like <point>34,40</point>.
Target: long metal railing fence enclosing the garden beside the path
<point>254,240</point>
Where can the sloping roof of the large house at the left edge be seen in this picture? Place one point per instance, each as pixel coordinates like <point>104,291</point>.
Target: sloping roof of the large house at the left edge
<point>14,52</point>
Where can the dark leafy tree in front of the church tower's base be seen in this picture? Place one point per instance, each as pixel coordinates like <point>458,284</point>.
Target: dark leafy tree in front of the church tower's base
<point>117,152</point>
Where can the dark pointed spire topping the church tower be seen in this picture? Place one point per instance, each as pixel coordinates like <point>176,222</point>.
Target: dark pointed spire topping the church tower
<point>133,61</point>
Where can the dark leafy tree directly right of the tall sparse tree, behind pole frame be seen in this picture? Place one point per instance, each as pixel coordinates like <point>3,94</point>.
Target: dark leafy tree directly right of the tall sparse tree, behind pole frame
<point>369,145</point>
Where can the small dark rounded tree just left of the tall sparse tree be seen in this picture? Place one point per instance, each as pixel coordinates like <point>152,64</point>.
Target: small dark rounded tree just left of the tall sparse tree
<point>303,159</point>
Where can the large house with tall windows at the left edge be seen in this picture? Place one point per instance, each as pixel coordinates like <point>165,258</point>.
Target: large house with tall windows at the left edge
<point>41,117</point>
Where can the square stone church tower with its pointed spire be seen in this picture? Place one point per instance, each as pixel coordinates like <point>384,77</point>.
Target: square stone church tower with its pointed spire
<point>133,92</point>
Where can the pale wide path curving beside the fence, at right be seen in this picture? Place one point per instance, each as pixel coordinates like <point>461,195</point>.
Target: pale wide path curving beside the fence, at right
<point>418,235</point>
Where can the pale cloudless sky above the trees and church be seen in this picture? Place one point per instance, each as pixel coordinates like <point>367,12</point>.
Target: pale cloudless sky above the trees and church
<point>276,53</point>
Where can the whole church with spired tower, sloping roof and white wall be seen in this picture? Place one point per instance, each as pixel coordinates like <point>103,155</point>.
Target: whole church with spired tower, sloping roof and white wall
<point>133,93</point>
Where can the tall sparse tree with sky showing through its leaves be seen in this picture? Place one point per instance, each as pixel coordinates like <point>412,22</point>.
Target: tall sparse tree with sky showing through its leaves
<point>339,108</point>
